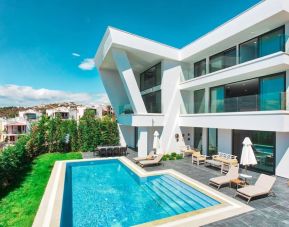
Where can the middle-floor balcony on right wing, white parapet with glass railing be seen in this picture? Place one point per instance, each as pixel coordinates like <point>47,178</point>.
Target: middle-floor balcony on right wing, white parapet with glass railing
<point>252,112</point>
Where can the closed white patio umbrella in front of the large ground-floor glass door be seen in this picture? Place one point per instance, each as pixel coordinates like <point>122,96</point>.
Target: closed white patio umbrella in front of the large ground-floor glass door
<point>248,157</point>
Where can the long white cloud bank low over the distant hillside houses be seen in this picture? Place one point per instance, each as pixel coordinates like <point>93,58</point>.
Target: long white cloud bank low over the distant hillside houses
<point>14,95</point>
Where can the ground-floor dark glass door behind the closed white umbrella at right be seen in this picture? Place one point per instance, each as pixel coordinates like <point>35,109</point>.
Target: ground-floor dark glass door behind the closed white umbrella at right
<point>263,146</point>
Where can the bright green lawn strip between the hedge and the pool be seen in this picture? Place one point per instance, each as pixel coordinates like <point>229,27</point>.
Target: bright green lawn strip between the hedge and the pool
<point>19,207</point>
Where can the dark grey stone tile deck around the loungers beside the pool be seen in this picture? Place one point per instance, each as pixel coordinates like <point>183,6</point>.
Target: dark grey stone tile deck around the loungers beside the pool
<point>269,211</point>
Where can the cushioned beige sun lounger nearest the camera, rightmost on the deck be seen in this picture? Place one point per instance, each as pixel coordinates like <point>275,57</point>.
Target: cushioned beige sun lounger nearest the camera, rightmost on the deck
<point>263,186</point>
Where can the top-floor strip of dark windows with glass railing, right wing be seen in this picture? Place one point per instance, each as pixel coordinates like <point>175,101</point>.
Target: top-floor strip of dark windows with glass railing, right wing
<point>263,45</point>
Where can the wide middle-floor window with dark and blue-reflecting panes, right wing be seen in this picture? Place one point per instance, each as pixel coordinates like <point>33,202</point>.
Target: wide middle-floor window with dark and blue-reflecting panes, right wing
<point>259,94</point>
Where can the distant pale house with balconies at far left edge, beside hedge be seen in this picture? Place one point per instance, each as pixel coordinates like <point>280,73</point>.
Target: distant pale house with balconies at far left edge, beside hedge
<point>12,129</point>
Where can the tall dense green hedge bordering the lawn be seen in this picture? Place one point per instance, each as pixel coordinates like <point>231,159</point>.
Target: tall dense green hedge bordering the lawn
<point>54,135</point>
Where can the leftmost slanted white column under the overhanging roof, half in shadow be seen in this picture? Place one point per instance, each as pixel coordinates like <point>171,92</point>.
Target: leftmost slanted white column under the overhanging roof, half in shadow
<point>129,80</point>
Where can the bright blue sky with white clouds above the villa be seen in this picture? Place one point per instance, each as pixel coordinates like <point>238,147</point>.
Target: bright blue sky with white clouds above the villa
<point>47,47</point>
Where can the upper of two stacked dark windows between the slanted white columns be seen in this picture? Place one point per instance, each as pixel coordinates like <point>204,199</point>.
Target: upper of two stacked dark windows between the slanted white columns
<point>150,78</point>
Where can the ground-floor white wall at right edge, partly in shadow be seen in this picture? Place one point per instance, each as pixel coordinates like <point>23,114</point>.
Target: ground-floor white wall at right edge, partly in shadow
<point>282,154</point>
